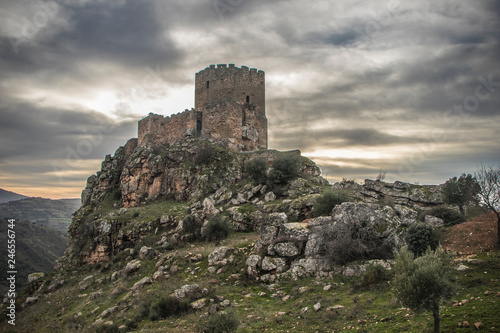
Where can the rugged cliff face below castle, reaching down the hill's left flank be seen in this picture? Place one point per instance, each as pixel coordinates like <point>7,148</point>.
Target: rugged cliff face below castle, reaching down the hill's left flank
<point>195,177</point>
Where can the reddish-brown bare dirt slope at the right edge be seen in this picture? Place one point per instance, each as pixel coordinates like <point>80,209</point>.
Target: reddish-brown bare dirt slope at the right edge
<point>474,236</point>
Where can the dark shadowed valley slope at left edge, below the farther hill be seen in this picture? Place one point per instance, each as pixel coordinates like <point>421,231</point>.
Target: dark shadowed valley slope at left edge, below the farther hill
<point>37,249</point>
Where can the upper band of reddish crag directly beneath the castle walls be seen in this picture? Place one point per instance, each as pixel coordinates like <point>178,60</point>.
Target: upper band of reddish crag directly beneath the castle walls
<point>192,169</point>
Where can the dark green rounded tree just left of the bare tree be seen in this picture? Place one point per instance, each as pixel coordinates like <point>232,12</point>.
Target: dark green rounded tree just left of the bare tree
<point>461,191</point>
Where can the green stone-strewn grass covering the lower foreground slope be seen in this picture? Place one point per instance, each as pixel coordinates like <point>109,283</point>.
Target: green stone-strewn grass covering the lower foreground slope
<point>369,309</point>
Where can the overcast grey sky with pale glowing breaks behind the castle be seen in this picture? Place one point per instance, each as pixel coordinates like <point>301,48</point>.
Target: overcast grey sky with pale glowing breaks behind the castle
<point>412,88</point>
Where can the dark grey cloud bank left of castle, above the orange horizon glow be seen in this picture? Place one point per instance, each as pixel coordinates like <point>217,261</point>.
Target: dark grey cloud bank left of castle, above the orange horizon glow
<point>41,133</point>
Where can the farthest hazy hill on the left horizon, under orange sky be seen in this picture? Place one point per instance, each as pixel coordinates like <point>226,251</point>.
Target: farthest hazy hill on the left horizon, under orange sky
<point>55,214</point>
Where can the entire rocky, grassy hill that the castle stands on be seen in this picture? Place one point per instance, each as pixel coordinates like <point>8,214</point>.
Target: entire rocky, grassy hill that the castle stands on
<point>141,256</point>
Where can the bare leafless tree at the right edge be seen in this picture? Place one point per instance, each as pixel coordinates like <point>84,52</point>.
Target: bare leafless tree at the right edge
<point>488,179</point>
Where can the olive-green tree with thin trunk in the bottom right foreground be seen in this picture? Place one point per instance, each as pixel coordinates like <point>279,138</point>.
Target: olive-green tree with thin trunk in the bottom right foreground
<point>422,283</point>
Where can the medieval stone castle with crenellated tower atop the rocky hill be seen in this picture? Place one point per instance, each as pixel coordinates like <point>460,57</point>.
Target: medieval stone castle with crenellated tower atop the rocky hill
<point>229,107</point>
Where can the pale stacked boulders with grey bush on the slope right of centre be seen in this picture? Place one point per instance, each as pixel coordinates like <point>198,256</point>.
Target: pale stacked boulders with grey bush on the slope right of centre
<point>294,250</point>
